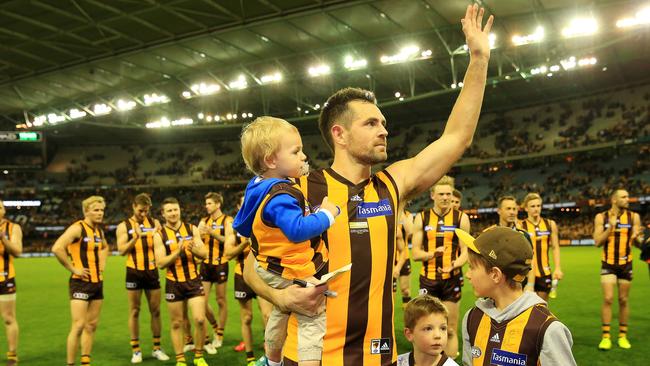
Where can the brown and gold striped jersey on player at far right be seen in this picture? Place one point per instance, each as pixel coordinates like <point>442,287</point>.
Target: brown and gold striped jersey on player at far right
<point>618,248</point>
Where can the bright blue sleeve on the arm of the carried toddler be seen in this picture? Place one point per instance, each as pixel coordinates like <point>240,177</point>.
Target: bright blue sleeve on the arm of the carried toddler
<point>284,212</point>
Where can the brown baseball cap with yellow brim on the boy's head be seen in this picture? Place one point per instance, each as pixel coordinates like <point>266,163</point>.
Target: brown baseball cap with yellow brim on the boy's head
<point>509,250</point>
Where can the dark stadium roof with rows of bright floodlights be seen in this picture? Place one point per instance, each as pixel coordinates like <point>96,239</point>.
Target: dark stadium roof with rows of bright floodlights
<point>97,57</point>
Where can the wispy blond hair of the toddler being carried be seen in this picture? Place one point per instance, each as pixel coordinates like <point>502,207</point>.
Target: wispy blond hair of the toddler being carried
<point>260,139</point>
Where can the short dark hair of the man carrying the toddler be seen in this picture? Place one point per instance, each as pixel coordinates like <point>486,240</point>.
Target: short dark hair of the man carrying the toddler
<point>337,106</point>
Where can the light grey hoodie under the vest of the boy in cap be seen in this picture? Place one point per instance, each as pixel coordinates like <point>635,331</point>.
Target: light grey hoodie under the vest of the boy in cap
<point>556,348</point>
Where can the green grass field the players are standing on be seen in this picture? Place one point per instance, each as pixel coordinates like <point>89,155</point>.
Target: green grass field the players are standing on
<point>44,315</point>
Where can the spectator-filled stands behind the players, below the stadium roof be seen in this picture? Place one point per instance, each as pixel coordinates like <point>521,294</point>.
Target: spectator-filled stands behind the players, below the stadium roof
<point>188,171</point>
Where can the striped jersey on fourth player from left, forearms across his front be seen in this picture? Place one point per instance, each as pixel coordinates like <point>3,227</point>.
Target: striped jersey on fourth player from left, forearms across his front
<point>185,267</point>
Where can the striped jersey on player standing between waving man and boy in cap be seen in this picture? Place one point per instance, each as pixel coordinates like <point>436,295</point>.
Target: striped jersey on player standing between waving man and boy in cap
<point>438,231</point>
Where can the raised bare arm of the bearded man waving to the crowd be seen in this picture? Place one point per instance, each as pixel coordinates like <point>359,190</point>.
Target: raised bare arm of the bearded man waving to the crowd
<point>417,174</point>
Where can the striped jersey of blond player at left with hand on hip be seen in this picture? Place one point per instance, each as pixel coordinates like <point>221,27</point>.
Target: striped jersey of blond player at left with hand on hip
<point>84,251</point>
